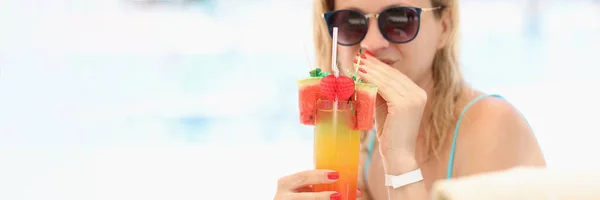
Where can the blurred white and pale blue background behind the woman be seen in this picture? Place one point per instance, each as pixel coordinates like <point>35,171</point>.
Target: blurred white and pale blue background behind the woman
<point>183,99</point>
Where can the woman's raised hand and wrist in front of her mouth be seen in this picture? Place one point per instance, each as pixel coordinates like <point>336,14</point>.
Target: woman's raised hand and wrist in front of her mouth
<point>398,108</point>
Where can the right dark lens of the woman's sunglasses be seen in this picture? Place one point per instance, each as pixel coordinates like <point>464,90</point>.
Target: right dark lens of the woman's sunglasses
<point>399,24</point>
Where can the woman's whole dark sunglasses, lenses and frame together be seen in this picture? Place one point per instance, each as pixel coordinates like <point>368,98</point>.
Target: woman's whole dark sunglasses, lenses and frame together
<point>398,24</point>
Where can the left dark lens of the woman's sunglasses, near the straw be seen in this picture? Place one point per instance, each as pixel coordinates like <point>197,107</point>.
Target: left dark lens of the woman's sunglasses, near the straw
<point>352,26</point>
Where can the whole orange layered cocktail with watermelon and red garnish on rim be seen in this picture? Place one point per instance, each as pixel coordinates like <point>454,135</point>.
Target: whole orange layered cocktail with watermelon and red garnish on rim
<point>340,109</point>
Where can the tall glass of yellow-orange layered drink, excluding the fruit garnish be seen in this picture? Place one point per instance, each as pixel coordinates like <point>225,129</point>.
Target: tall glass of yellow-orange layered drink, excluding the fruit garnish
<point>337,146</point>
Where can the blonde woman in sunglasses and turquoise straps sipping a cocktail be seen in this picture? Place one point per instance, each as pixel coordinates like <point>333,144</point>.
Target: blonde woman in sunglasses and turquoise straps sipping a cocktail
<point>425,113</point>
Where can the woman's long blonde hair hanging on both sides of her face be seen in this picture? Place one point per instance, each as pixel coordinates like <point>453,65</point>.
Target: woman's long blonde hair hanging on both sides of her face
<point>448,79</point>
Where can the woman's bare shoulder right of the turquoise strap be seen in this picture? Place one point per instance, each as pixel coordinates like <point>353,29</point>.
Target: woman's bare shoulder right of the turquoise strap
<point>494,135</point>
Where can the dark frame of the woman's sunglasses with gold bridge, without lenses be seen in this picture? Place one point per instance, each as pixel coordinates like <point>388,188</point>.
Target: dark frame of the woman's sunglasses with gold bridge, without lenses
<point>326,16</point>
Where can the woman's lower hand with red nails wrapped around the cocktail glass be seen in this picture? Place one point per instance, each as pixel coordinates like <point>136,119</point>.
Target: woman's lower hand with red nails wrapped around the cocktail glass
<point>298,186</point>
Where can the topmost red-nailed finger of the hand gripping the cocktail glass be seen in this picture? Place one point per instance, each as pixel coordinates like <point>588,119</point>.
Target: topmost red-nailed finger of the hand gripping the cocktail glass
<point>305,178</point>
